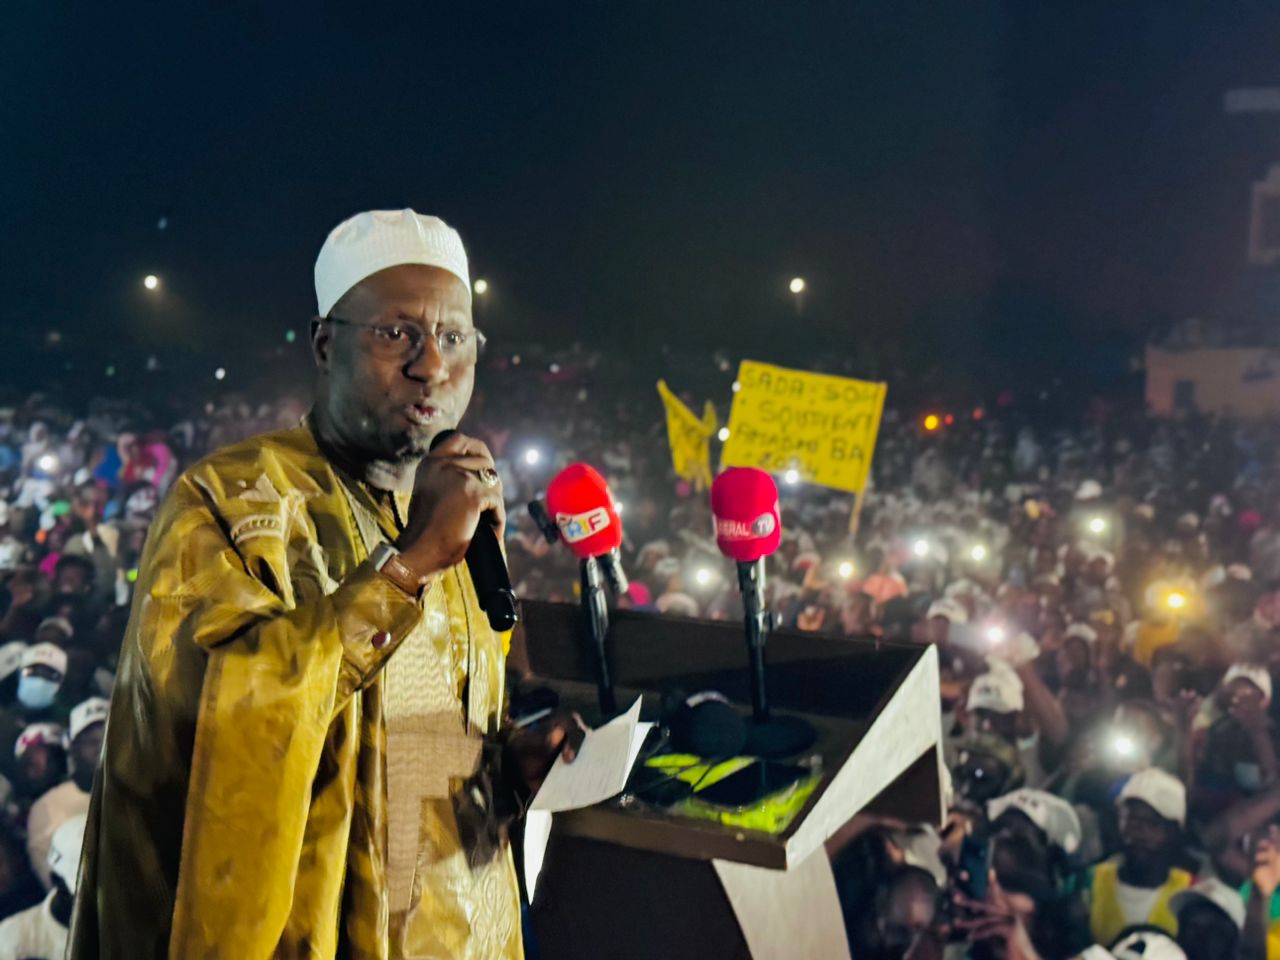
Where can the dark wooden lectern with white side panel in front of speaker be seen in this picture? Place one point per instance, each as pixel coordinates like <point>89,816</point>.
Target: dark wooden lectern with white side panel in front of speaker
<point>630,883</point>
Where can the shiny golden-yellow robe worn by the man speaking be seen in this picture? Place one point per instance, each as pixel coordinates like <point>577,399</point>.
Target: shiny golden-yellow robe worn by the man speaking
<point>248,801</point>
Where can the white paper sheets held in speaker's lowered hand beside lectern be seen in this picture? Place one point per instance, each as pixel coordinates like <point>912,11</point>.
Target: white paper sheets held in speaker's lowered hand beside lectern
<point>600,772</point>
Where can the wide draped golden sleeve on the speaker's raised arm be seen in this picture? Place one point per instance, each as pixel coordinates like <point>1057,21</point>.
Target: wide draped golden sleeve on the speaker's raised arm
<point>281,669</point>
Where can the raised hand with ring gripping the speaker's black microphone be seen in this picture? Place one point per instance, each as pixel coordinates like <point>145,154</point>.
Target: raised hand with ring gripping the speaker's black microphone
<point>450,500</point>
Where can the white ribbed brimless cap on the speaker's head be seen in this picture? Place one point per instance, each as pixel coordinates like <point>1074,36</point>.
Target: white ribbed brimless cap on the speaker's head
<point>373,241</point>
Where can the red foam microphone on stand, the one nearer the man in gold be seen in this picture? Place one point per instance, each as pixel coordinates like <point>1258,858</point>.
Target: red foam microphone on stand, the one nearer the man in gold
<point>587,520</point>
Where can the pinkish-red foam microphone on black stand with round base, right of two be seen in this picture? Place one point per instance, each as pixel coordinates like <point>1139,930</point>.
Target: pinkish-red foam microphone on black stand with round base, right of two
<point>749,529</point>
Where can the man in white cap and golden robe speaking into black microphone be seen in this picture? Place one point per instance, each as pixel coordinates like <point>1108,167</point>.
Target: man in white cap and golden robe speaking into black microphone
<point>305,753</point>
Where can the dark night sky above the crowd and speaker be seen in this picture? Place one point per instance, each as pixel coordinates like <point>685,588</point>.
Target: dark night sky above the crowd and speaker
<point>968,180</point>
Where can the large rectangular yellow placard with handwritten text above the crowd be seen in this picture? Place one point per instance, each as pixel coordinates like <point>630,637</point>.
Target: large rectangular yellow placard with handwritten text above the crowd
<point>821,427</point>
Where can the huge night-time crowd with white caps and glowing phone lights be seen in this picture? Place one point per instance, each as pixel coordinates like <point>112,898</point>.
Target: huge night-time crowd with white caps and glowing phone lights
<point>1105,604</point>
